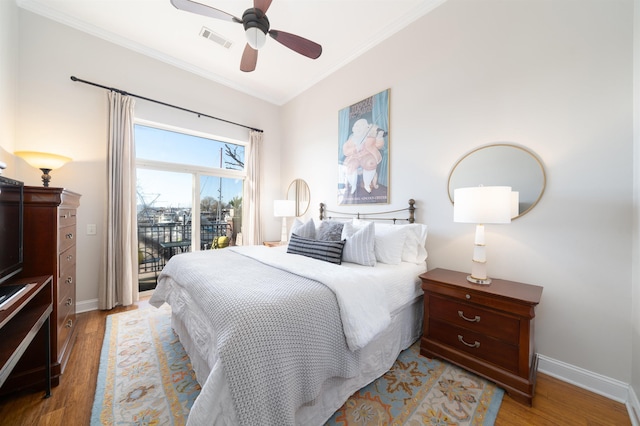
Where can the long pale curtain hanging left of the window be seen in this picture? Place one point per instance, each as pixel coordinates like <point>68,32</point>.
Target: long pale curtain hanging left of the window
<point>120,285</point>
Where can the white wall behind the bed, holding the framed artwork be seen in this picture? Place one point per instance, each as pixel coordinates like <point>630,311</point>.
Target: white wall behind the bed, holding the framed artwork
<point>552,76</point>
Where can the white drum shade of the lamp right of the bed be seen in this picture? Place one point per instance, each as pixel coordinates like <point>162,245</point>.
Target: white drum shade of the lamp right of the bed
<point>482,204</point>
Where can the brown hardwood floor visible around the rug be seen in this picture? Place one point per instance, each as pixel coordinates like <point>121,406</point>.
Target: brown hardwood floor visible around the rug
<point>555,402</point>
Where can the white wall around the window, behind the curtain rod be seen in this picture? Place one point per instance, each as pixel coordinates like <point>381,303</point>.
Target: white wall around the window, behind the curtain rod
<point>54,114</point>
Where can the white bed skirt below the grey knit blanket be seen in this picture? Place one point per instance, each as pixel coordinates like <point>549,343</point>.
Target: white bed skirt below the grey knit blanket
<point>215,407</point>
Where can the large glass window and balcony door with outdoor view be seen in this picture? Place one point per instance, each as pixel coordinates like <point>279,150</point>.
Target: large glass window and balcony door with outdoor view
<point>189,195</point>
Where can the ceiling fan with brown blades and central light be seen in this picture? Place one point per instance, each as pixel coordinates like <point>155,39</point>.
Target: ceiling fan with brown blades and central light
<point>256,27</point>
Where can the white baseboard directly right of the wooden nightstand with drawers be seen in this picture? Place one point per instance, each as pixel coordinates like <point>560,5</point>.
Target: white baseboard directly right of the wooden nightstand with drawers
<point>593,382</point>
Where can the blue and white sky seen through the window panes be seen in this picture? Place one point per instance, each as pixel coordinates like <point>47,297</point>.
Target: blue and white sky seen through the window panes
<point>173,189</point>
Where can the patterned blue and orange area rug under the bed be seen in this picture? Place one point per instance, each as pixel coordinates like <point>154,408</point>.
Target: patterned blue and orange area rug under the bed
<point>145,378</point>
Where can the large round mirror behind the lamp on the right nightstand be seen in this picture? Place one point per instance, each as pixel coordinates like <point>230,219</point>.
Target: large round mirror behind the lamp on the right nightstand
<point>501,165</point>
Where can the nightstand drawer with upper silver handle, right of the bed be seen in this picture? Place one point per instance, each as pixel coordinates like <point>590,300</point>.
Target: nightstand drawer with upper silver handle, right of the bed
<point>475,318</point>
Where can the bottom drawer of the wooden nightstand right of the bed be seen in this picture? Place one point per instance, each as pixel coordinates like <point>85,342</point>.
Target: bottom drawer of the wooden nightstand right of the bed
<point>478,345</point>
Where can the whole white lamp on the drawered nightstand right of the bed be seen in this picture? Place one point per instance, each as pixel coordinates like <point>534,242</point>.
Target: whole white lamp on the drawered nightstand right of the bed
<point>482,205</point>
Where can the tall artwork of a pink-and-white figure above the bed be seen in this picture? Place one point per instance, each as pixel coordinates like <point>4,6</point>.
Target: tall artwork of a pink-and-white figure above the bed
<point>363,151</point>
